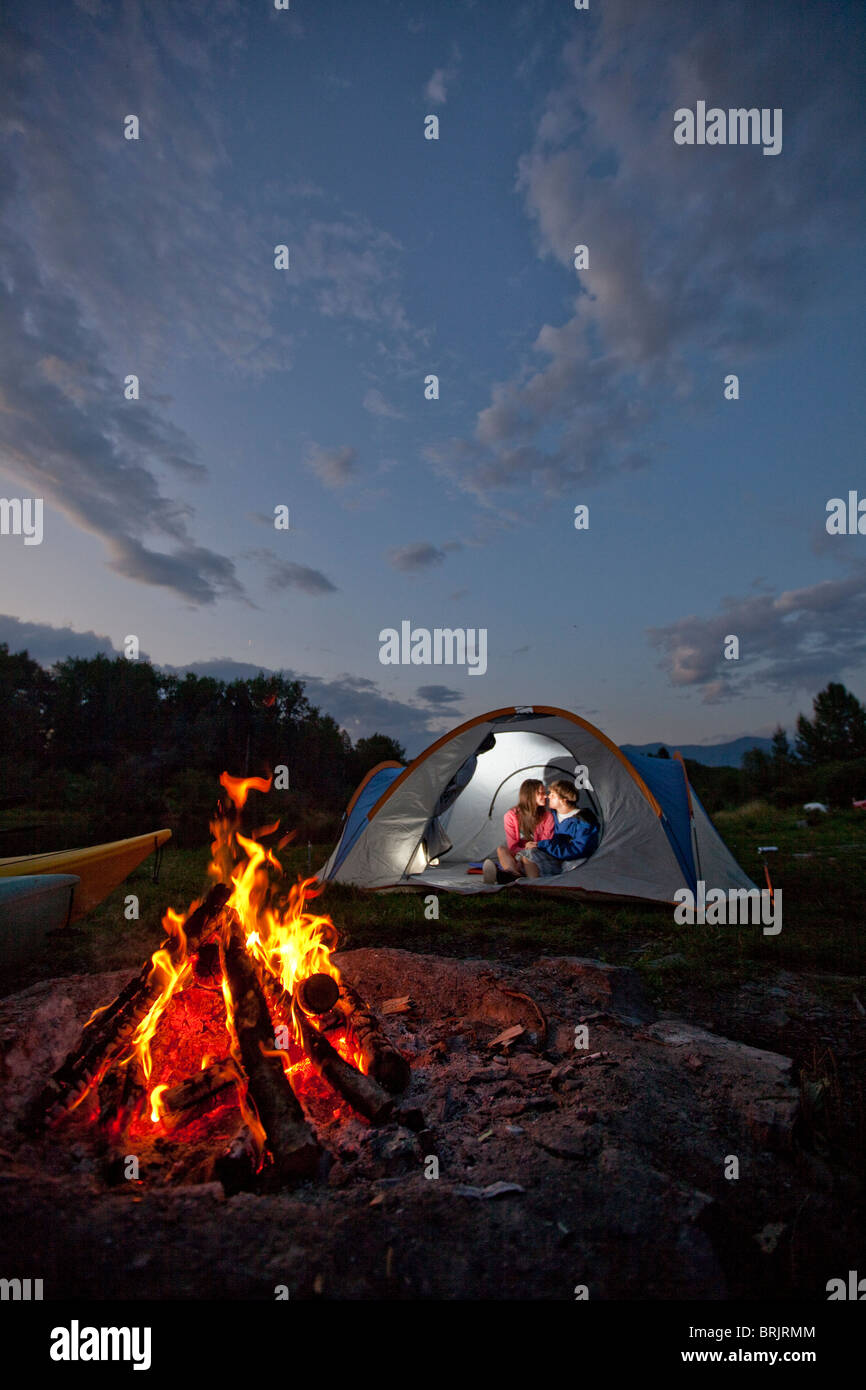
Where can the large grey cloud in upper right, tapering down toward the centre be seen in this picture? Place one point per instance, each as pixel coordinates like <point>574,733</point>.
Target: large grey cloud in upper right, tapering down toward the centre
<point>697,256</point>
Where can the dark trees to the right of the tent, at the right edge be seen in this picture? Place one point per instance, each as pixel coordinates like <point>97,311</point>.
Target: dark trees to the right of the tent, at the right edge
<point>826,762</point>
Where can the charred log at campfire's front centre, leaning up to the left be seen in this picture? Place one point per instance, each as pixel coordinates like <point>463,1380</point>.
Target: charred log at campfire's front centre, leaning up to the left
<point>291,1140</point>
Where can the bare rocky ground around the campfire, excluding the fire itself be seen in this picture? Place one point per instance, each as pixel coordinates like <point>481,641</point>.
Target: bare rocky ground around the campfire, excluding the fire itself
<point>708,1154</point>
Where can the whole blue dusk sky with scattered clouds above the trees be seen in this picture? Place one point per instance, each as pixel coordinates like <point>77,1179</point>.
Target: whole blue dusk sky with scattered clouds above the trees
<point>451,256</point>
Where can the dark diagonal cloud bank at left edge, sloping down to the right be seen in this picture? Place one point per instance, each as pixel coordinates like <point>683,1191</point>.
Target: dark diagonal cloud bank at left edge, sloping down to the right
<point>69,436</point>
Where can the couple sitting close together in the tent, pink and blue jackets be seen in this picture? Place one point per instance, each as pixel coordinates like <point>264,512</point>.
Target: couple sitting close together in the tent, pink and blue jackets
<point>547,833</point>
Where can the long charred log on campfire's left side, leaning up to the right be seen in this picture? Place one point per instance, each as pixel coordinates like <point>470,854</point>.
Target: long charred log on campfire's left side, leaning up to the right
<point>113,1027</point>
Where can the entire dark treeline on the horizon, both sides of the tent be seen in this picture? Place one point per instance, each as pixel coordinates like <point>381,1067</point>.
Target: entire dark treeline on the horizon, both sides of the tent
<point>101,749</point>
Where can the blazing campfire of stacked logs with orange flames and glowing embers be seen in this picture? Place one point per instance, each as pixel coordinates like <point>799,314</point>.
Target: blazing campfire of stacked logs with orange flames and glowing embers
<point>238,1042</point>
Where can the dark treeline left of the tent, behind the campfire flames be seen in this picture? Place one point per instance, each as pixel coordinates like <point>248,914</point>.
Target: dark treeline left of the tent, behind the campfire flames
<point>124,749</point>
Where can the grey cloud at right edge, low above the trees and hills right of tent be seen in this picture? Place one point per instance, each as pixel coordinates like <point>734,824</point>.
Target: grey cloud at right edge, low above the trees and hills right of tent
<point>792,641</point>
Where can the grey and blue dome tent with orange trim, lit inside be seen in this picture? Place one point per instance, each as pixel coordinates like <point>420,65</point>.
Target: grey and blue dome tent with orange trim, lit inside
<point>655,836</point>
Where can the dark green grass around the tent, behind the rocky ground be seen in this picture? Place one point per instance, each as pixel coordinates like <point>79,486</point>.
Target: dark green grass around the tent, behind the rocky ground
<point>819,869</point>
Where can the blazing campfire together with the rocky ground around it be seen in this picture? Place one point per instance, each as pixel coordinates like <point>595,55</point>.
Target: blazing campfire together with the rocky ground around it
<point>238,1120</point>
